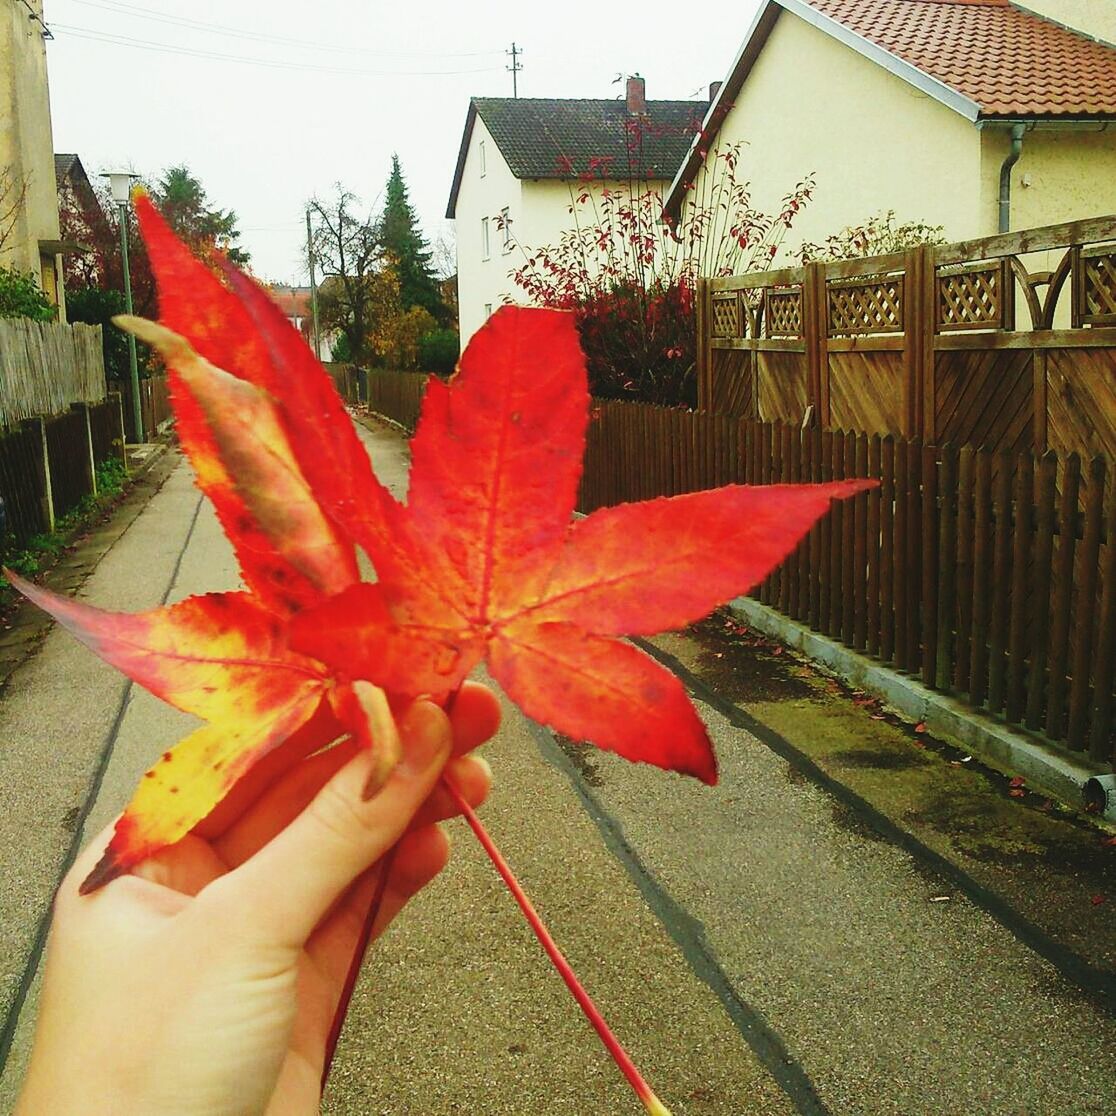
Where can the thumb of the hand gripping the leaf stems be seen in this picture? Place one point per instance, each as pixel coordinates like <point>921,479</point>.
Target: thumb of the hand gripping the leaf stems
<point>291,884</point>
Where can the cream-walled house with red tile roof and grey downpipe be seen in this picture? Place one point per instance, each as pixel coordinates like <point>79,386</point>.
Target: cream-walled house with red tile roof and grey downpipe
<point>976,116</point>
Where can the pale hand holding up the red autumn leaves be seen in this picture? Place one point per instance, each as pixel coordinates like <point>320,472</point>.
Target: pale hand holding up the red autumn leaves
<point>206,983</point>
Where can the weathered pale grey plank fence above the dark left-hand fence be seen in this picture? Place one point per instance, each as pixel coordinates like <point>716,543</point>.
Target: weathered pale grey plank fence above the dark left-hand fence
<point>45,368</point>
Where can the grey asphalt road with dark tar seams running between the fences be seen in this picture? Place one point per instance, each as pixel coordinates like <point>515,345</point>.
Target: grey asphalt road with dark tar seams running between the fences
<point>758,947</point>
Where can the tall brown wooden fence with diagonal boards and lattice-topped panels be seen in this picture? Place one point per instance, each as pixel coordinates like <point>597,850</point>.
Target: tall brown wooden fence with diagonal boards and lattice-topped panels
<point>958,343</point>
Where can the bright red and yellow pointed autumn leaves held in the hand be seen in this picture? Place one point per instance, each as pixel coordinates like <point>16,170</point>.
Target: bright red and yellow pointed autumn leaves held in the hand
<point>484,563</point>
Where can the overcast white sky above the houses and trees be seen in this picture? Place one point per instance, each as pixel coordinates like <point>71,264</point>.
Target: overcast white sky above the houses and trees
<point>271,130</point>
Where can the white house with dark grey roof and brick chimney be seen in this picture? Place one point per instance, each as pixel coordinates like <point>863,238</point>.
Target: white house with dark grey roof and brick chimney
<point>523,161</point>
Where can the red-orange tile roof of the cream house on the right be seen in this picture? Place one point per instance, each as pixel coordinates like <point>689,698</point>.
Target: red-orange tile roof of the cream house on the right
<point>1009,62</point>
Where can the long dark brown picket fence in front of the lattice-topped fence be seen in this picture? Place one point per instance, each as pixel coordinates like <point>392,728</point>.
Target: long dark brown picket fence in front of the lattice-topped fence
<point>990,576</point>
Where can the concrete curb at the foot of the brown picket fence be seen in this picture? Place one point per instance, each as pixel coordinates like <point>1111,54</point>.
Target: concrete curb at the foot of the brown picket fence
<point>1045,768</point>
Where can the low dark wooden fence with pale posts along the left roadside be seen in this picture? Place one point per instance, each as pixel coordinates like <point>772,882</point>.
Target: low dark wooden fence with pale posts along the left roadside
<point>49,465</point>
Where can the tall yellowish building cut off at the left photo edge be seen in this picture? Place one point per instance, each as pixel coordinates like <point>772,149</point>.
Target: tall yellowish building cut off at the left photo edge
<point>30,237</point>
